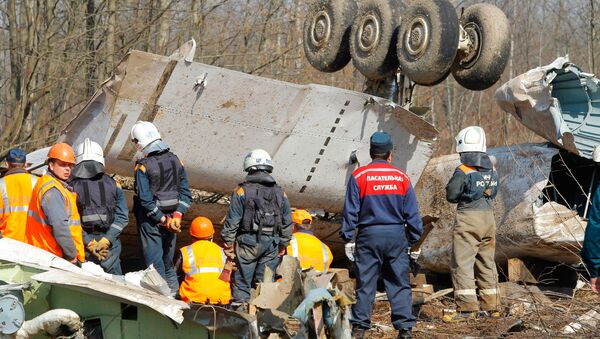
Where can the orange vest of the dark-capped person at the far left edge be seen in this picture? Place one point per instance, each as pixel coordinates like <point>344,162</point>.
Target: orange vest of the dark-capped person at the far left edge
<point>15,192</point>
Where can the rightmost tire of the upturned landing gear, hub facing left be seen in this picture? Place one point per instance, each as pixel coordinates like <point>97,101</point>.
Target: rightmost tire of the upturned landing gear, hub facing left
<point>483,64</point>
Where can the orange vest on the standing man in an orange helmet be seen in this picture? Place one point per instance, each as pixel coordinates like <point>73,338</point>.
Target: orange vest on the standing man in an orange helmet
<point>38,233</point>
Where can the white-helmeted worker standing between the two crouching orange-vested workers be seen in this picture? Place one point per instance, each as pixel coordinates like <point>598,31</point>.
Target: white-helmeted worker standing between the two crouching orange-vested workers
<point>259,222</point>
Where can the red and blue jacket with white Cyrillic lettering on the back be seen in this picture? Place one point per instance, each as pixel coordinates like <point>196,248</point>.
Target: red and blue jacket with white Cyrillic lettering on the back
<point>380,194</point>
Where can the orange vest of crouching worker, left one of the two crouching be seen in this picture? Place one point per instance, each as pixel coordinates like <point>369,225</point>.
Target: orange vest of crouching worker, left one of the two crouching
<point>203,262</point>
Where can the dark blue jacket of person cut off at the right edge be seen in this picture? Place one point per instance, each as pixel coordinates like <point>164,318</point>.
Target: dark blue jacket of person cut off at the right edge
<point>590,253</point>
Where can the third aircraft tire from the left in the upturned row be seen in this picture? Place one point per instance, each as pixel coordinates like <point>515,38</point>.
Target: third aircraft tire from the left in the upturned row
<point>428,41</point>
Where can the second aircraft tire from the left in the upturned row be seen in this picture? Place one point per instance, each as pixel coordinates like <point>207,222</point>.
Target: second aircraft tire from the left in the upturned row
<point>373,38</point>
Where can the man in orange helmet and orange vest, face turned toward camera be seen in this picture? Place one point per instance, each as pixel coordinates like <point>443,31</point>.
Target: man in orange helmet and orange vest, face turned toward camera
<point>53,222</point>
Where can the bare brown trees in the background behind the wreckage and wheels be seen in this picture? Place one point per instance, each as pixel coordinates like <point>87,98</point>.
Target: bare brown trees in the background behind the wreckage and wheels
<point>54,54</point>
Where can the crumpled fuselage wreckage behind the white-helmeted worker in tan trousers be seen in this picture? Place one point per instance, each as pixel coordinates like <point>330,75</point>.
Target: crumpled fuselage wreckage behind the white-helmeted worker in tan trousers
<point>527,226</point>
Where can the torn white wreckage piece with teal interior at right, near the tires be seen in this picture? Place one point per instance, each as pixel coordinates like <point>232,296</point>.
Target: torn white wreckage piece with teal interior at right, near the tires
<point>559,102</point>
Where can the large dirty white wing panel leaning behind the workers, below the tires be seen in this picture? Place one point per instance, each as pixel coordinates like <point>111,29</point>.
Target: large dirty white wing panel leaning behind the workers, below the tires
<point>211,117</point>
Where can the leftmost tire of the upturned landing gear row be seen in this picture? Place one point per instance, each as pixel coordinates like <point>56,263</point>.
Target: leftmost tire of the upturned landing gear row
<point>326,34</point>
